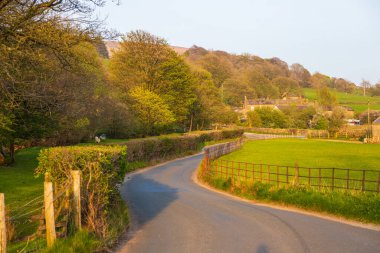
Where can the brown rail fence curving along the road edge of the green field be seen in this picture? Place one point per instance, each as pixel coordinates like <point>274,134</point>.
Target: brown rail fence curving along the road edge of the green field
<point>319,178</point>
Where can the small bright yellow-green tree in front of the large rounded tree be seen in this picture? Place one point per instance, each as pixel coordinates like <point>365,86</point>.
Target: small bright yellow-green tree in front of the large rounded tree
<point>151,110</point>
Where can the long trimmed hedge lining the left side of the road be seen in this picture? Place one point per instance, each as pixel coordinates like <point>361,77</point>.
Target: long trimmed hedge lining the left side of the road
<point>103,169</point>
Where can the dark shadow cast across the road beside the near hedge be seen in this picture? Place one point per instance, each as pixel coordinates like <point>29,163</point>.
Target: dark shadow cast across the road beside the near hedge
<point>146,198</point>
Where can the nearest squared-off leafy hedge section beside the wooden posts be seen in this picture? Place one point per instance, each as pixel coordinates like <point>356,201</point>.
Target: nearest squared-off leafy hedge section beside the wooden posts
<point>102,170</point>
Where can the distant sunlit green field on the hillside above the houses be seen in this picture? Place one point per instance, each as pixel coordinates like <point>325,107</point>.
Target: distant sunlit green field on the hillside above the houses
<point>356,101</point>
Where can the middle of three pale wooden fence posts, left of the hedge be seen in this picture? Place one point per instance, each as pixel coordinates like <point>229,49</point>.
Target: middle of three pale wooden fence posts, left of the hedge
<point>49,213</point>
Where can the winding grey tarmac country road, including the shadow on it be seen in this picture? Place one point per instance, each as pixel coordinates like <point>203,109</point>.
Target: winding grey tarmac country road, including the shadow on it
<point>171,213</point>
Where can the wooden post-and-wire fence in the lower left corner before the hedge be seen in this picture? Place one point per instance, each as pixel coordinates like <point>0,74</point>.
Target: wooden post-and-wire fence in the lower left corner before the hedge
<point>52,210</point>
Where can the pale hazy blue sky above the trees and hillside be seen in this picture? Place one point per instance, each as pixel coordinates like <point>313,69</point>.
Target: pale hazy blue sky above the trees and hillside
<point>340,38</point>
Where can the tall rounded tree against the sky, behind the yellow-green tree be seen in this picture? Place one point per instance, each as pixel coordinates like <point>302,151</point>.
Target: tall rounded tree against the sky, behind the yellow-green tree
<point>146,61</point>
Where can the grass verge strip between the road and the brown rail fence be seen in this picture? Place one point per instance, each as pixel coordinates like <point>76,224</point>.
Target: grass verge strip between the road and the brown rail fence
<point>363,207</point>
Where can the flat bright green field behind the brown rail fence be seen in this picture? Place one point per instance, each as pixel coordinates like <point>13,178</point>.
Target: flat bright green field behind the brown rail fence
<point>265,158</point>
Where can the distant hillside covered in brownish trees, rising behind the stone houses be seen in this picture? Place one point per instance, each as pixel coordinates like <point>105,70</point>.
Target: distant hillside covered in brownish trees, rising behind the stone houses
<point>246,75</point>
